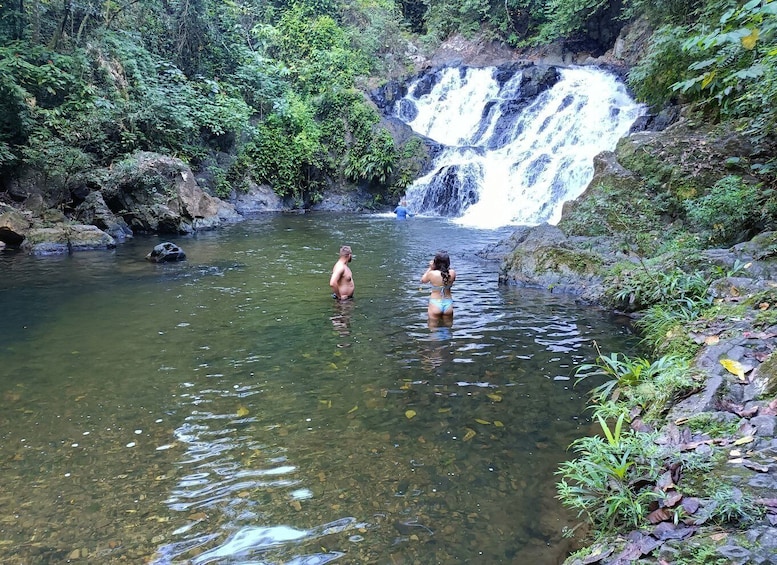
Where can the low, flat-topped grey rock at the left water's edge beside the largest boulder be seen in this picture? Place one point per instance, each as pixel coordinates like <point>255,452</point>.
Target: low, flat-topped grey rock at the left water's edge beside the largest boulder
<point>66,238</point>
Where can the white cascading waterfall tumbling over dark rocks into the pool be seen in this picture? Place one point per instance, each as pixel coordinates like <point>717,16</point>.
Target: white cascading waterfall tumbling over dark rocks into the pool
<point>506,162</point>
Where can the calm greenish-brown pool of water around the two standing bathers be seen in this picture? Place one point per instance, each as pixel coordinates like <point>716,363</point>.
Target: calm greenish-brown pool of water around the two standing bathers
<point>227,410</point>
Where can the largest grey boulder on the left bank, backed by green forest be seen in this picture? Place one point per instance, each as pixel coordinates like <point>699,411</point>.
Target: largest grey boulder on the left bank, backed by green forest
<point>159,194</point>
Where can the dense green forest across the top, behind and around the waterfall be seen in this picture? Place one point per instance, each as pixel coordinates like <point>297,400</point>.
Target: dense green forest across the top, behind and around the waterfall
<point>274,91</point>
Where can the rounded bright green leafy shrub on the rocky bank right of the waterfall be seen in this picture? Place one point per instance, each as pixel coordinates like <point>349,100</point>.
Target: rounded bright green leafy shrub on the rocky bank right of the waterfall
<point>728,213</point>
